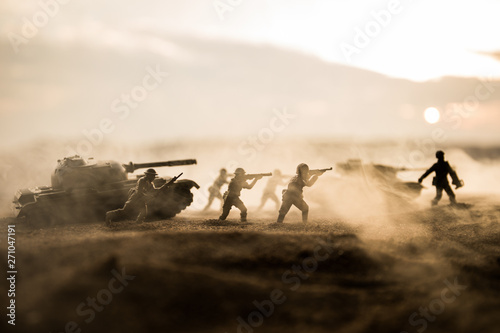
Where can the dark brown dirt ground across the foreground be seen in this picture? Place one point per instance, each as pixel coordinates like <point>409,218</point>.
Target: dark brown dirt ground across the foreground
<point>430,269</point>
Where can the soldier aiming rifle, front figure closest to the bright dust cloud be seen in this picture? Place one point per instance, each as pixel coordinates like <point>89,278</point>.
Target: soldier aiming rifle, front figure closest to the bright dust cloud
<point>293,194</point>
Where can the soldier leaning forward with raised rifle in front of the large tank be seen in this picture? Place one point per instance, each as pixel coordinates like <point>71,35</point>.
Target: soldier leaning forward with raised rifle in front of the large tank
<point>136,205</point>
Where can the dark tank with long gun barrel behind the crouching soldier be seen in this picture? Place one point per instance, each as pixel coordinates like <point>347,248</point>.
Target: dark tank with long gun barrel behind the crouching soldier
<point>83,189</point>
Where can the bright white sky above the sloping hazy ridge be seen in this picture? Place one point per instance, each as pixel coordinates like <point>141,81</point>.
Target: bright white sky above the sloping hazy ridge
<point>443,34</point>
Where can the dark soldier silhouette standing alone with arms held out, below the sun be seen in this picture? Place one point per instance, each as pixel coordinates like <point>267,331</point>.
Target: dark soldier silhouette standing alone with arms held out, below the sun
<point>442,168</point>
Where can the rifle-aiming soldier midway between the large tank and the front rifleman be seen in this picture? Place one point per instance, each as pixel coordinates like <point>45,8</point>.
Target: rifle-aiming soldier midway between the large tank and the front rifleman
<point>232,195</point>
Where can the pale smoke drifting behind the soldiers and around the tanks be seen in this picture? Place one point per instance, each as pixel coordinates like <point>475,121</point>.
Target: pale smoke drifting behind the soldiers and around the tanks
<point>354,199</point>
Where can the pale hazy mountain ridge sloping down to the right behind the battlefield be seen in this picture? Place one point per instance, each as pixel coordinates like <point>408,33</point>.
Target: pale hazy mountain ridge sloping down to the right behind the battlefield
<point>221,88</point>
